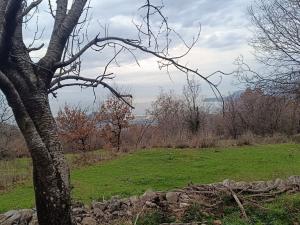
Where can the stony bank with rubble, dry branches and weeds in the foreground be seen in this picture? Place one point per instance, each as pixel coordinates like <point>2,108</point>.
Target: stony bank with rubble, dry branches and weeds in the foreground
<point>196,203</point>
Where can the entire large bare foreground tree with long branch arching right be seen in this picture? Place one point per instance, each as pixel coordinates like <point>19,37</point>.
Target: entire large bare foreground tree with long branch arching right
<point>27,82</point>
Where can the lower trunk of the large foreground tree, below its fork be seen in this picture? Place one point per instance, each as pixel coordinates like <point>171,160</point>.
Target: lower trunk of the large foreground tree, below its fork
<point>50,171</point>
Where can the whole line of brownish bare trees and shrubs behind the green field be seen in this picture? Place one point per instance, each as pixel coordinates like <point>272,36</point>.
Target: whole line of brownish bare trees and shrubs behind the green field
<point>173,120</point>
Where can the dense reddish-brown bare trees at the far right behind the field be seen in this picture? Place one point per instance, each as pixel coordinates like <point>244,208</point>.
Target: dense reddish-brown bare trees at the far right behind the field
<point>260,113</point>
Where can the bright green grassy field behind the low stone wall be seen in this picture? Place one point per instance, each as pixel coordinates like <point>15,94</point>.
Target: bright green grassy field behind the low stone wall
<point>164,169</point>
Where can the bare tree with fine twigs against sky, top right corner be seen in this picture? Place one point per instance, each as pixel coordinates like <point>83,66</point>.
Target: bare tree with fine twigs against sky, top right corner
<point>277,46</point>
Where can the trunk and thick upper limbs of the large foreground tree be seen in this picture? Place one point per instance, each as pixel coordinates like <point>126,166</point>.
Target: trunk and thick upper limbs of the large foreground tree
<point>26,85</point>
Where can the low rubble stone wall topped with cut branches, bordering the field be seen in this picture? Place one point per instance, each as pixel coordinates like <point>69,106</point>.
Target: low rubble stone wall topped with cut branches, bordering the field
<point>209,197</point>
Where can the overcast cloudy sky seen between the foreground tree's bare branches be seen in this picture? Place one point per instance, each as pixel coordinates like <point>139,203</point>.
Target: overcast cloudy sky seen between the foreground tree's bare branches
<point>224,37</point>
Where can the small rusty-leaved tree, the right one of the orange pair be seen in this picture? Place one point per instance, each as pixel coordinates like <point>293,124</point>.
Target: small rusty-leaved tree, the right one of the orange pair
<point>115,115</point>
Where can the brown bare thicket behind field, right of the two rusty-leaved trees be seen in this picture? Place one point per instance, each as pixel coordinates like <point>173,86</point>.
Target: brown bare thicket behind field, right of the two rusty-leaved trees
<point>252,111</point>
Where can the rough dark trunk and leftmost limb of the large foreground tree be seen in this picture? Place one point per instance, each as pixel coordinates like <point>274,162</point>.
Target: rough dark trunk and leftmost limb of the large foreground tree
<point>25,87</point>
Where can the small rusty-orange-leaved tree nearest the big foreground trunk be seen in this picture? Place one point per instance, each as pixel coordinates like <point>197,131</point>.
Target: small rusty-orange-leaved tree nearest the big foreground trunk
<point>76,126</point>
